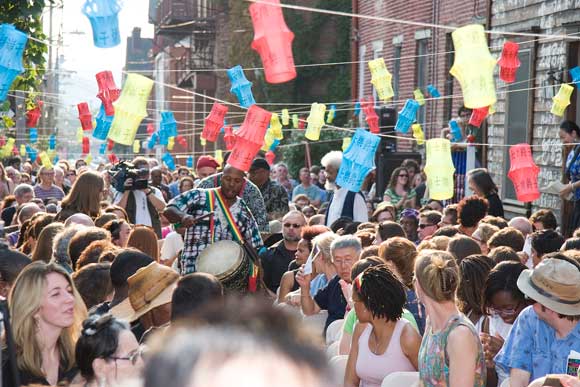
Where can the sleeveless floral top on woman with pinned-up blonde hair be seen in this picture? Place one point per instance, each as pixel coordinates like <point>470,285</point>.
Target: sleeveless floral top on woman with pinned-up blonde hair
<point>433,361</point>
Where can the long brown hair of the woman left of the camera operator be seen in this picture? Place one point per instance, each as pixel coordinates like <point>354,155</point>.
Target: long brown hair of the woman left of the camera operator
<point>84,197</point>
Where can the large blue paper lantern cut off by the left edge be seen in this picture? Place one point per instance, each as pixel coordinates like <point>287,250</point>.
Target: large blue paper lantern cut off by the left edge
<point>12,44</point>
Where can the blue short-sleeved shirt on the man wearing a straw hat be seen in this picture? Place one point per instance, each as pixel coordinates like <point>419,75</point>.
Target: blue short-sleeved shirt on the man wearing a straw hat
<point>532,346</point>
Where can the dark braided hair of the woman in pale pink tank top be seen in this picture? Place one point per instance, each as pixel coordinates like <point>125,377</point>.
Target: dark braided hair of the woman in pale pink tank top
<point>381,292</point>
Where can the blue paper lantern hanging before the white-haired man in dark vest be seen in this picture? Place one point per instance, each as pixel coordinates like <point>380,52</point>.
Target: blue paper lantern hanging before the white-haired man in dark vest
<point>358,160</point>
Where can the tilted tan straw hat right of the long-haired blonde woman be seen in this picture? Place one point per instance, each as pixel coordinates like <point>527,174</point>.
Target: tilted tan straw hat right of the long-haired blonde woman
<point>151,286</point>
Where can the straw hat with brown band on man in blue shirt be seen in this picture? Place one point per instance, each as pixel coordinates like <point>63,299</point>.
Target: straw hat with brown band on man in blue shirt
<point>554,283</point>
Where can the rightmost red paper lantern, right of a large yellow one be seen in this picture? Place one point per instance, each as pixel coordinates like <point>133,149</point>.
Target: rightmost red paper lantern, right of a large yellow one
<point>524,173</point>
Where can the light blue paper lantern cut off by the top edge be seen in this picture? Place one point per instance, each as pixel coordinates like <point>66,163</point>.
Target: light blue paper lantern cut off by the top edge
<point>103,15</point>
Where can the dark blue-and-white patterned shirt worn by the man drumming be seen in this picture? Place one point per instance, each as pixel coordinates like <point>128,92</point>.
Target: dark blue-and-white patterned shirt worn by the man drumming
<point>198,237</point>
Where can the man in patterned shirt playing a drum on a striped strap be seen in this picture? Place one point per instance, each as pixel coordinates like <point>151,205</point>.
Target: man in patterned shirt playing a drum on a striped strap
<point>193,210</point>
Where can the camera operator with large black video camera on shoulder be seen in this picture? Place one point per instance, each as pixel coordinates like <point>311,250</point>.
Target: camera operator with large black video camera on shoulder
<point>142,205</point>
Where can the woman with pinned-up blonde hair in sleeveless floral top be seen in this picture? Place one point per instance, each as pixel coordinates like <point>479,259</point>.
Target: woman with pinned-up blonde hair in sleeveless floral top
<point>451,353</point>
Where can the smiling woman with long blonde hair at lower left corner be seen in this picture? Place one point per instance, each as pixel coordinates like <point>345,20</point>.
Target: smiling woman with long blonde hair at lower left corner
<point>47,315</point>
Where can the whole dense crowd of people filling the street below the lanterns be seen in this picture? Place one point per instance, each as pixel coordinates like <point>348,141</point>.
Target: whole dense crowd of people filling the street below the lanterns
<point>212,276</point>
